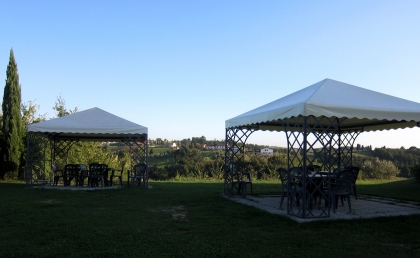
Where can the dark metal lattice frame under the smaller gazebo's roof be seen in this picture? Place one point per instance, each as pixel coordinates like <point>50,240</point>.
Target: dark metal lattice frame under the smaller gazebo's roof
<point>45,148</point>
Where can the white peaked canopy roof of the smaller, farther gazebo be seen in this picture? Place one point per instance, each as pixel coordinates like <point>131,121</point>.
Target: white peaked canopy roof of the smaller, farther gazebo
<point>92,124</point>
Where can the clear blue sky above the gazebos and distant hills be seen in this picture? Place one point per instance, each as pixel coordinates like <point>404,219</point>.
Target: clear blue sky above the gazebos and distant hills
<point>181,68</point>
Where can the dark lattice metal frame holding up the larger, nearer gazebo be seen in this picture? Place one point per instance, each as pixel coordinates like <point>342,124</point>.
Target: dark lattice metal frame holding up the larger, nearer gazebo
<point>310,140</point>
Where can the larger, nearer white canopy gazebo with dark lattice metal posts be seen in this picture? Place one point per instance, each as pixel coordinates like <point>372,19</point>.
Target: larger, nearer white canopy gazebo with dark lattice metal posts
<point>332,112</point>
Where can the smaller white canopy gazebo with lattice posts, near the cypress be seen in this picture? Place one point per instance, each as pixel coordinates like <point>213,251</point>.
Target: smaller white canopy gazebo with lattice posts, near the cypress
<point>93,124</point>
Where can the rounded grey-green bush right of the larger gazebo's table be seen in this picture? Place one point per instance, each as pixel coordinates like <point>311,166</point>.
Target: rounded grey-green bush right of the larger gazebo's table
<point>378,169</point>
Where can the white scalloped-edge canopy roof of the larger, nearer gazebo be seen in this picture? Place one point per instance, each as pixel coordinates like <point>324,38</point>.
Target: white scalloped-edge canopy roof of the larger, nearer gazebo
<point>364,109</point>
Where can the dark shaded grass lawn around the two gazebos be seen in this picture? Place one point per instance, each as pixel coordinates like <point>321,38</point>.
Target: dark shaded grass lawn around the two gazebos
<point>190,219</point>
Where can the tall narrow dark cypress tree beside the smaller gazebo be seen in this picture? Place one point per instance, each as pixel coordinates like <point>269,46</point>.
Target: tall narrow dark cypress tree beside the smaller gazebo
<point>12,119</point>
